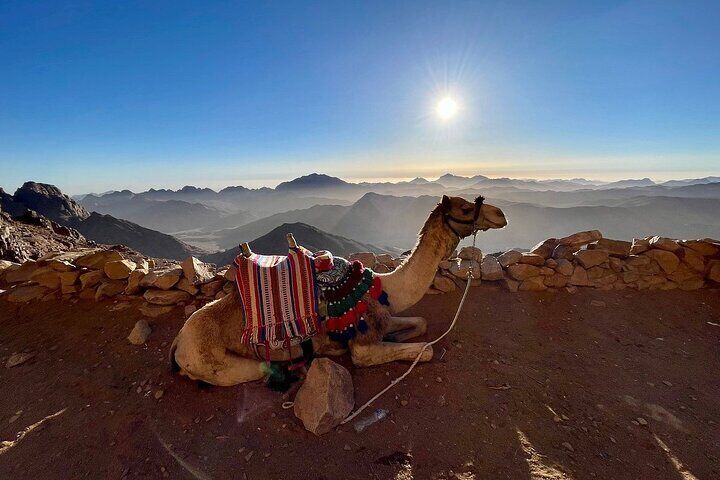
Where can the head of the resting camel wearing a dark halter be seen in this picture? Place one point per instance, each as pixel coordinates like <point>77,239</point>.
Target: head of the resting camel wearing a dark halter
<point>463,217</point>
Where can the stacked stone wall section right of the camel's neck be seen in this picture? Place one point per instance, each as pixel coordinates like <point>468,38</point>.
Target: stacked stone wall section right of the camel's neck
<point>586,259</point>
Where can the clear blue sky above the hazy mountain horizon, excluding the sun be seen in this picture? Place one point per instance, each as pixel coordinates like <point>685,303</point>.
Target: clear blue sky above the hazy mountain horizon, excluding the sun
<point>108,95</point>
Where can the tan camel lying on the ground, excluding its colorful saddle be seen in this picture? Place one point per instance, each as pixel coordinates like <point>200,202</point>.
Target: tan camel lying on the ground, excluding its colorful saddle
<point>208,347</point>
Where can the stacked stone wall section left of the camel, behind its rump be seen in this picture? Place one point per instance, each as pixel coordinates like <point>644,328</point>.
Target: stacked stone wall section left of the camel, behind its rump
<point>101,274</point>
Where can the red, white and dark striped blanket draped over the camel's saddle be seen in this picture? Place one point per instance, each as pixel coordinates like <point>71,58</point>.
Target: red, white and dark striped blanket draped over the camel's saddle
<point>279,297</point>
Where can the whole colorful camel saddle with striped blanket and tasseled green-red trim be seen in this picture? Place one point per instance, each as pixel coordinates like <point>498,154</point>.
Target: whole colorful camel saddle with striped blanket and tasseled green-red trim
<point>287,300</point>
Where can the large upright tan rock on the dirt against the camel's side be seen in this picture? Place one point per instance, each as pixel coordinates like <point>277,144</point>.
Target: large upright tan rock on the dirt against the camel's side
<point>325,398</point>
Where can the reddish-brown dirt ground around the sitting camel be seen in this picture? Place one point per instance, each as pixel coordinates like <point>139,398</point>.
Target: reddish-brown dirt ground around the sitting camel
<point>528,386</point>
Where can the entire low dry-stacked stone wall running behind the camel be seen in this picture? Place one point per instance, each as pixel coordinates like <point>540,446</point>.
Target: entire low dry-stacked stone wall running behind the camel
<point>584,259</point>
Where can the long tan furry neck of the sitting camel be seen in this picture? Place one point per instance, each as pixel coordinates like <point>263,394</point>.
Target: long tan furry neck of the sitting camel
<point>407,284</point>
